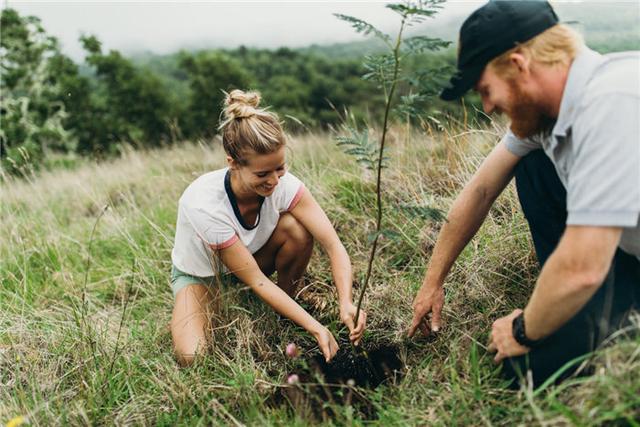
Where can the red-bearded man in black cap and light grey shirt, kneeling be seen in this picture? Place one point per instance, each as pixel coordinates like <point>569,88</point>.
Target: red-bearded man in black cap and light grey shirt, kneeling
<point>574,149</point>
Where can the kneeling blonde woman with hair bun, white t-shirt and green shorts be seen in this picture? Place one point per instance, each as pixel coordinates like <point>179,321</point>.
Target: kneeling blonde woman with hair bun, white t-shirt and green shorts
<point>256,218</point>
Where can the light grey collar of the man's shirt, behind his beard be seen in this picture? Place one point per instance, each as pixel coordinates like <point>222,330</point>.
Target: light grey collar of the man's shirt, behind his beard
<point>580,72</point>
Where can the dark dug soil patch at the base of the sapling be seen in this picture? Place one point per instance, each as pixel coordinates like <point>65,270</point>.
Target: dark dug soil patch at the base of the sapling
<point>341,381</point>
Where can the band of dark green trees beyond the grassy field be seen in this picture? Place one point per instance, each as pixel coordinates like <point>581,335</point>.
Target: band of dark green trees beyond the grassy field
<point>49,104</point>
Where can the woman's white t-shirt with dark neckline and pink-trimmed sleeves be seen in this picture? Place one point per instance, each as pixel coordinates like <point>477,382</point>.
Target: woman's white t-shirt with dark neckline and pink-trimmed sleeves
<point>208,220</point>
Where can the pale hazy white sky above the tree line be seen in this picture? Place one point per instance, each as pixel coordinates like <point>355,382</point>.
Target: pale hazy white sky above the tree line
<point>164,27</point>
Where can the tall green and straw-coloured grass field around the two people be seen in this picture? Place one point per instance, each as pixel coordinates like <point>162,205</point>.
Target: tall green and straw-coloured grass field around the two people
<point>84,314</point>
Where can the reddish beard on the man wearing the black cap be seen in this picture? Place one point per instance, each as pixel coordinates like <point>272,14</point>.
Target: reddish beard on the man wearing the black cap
<point>527,119</point>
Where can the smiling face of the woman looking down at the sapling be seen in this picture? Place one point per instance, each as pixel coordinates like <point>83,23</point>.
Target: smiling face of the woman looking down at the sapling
<point>262,172</point>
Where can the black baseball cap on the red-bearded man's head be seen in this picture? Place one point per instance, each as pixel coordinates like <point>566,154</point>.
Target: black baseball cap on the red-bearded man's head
<point>492,30</point>
